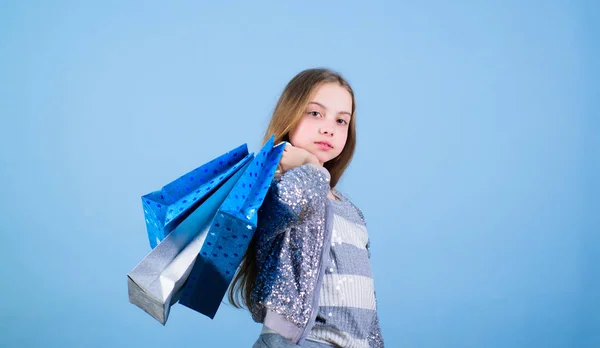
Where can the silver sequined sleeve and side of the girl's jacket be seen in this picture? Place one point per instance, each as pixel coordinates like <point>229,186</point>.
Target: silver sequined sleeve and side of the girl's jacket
<point>289,242</point>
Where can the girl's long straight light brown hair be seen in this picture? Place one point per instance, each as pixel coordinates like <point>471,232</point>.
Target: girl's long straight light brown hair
<point>287,114</point>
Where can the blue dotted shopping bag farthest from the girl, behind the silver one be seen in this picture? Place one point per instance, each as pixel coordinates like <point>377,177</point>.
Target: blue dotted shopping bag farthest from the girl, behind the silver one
<point>165,209</point>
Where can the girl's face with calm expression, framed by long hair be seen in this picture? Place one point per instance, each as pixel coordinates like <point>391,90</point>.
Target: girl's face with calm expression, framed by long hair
<point>323,129</point>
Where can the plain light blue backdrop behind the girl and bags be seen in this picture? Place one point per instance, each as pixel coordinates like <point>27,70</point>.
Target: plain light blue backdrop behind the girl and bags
<point>477,164</point>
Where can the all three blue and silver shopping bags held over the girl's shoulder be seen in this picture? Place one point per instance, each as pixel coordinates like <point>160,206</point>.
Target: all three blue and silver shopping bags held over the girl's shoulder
<point>199,227</point>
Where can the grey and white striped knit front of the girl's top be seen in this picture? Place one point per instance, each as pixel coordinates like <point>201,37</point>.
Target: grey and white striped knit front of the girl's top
<point>347,305</point>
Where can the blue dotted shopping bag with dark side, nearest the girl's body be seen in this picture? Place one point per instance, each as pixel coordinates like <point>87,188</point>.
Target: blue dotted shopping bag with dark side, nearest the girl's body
<point>230,234</point>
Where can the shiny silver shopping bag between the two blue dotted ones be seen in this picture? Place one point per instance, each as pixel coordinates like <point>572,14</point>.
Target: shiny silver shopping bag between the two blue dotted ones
<point>154,284</point>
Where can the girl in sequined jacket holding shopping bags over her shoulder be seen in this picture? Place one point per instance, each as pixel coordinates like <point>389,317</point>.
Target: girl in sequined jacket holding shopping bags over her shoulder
<point>306,275</point>
